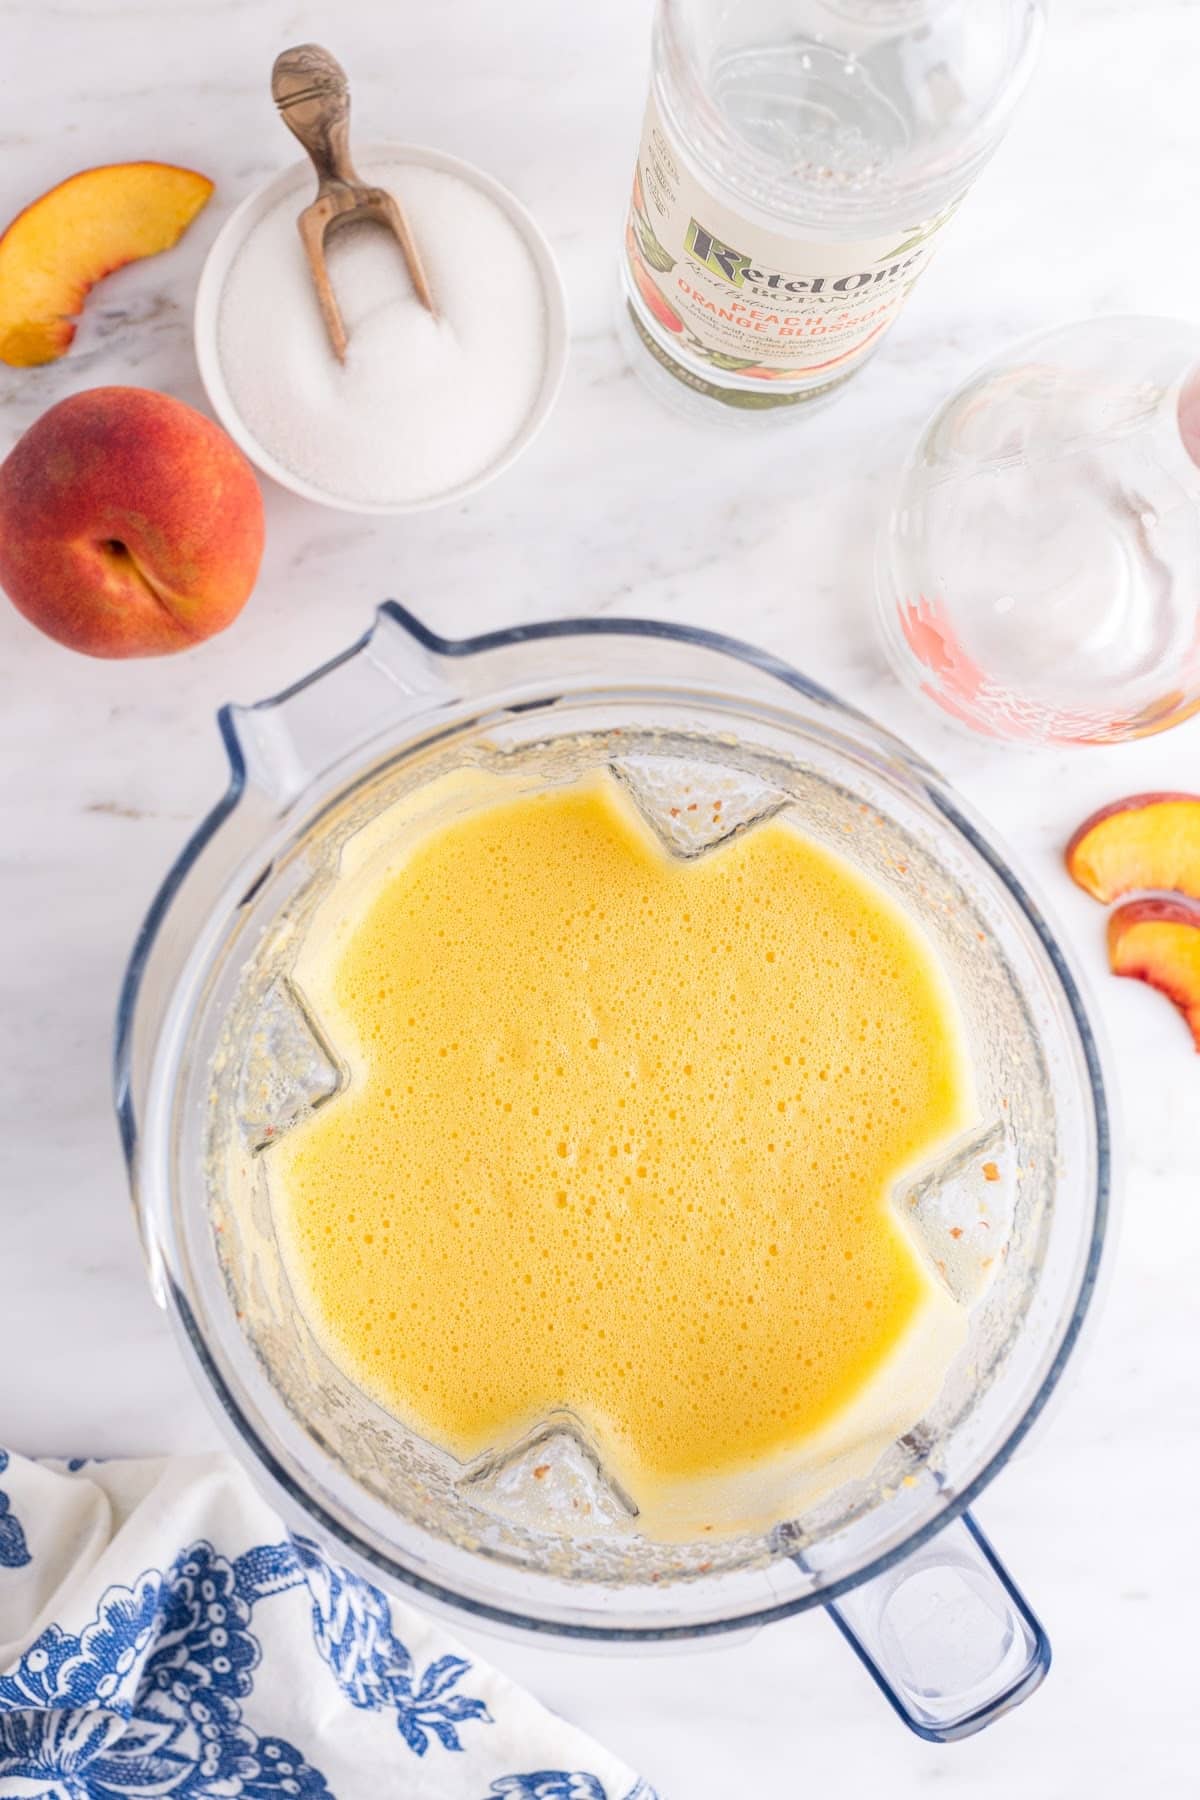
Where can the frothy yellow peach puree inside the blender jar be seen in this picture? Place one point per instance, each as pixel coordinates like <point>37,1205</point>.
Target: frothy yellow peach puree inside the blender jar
<point>620,1140</point>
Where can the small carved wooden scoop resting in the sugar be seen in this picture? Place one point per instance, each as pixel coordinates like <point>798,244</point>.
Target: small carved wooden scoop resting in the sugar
<point>314,98</point>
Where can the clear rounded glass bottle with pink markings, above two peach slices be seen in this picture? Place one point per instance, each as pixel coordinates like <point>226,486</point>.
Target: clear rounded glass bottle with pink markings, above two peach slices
<point>1039,573</point>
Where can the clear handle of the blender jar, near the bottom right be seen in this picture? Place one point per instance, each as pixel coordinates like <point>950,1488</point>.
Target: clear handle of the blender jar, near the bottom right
<point>947,1635</point>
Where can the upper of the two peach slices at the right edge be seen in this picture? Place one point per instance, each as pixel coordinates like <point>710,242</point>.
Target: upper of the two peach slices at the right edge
<point>1143,841</point>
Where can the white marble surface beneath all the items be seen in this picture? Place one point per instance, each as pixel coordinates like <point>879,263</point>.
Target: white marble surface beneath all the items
<point>103,769</point>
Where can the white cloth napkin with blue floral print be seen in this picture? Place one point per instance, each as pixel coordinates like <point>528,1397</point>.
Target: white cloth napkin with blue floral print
<point>165,1639</point>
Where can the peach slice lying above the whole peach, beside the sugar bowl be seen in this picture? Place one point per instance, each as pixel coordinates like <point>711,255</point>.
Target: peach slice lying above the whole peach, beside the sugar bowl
<point>80,231</point>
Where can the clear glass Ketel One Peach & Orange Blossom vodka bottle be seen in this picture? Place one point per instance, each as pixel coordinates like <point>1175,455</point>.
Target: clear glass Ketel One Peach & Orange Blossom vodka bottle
<point>798,161</point>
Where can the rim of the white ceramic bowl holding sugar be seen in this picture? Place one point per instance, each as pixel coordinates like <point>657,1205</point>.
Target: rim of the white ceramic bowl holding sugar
<point>300,181</point>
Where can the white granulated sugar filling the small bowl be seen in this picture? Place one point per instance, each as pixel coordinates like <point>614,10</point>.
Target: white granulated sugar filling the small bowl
<point>422,406</point>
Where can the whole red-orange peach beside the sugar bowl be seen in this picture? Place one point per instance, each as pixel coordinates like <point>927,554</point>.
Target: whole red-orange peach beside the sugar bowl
<point>130,526</point>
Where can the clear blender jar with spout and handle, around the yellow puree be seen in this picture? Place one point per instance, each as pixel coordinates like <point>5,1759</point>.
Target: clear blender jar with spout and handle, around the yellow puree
<point>217,1057</point>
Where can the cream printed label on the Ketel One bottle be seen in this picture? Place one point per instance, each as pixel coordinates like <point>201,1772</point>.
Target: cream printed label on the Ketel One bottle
<point>749,301</point>
